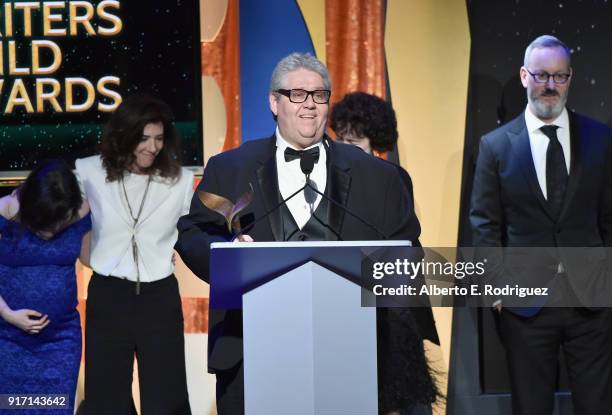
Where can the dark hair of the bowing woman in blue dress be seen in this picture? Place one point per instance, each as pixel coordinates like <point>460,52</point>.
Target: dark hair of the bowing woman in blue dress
<point>49,196</point>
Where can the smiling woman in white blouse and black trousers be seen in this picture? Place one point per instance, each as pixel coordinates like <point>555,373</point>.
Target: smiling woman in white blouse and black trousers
<point>137,191</point>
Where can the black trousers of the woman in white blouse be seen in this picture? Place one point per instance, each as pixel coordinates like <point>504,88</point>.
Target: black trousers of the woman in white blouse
<point>121,325</point>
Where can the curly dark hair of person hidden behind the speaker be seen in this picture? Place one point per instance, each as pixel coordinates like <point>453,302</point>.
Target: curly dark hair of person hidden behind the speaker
<point>366,115</point>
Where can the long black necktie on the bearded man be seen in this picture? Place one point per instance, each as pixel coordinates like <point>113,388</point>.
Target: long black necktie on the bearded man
<point>556,170</point>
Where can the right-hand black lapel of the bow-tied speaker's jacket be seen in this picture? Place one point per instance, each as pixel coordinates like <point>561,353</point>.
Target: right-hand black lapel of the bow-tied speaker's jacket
<point>339,184</point>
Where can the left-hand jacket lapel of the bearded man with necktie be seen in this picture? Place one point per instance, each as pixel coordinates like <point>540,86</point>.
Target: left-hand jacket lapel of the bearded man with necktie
<point>519,139</point>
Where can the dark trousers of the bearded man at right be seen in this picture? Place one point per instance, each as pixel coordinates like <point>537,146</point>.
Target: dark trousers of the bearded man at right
<point>532,346</point>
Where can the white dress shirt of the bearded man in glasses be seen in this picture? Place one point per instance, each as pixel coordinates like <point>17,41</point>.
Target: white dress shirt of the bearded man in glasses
<point>539,143</point>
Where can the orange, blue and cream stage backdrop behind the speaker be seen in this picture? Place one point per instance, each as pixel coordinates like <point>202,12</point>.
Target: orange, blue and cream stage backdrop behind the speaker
<point>420,51</point>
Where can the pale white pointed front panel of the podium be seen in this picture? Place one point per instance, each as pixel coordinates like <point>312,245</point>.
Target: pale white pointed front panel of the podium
<point>309,346</point>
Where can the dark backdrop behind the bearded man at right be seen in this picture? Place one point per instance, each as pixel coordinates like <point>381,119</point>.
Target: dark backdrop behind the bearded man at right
<point>500,32</point>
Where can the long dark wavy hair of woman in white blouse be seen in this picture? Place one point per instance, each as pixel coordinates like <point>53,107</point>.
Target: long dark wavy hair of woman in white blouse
<point>123,132</point>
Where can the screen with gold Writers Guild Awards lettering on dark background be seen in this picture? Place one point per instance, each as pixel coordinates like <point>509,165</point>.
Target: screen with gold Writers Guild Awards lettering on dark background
<point>64,66</point>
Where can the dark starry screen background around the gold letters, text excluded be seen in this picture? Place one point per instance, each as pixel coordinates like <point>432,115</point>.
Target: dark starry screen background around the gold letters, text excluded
<point>157,51</point>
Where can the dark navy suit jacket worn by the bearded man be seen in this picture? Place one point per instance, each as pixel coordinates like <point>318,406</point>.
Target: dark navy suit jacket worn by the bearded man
<point>508,207</point>
